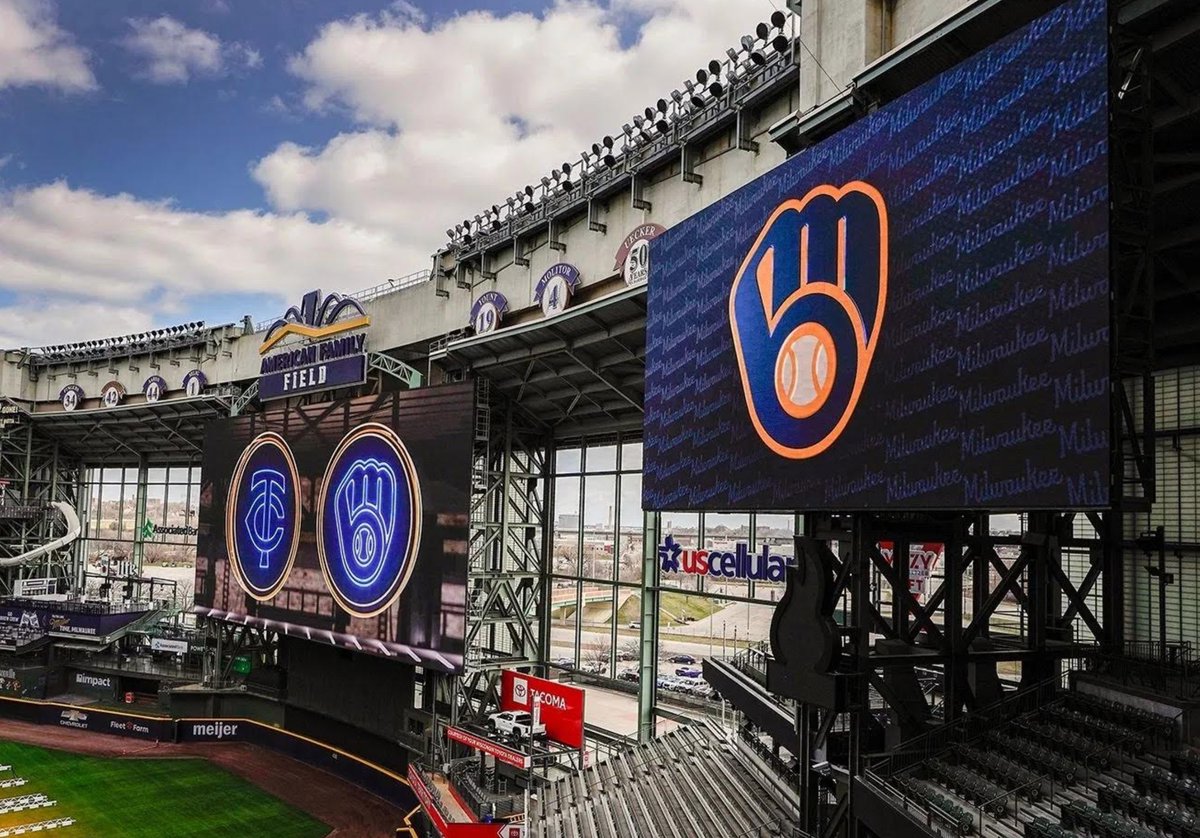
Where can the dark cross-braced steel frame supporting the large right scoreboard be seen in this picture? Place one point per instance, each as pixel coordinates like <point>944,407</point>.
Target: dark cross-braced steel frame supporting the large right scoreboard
<point>1048,596</point>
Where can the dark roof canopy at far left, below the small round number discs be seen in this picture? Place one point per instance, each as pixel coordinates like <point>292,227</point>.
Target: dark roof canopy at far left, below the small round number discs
<point>169,432</point>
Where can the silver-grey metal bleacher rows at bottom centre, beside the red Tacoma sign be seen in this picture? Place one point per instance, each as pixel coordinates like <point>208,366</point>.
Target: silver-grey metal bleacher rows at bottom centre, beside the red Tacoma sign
<point>691,783</point>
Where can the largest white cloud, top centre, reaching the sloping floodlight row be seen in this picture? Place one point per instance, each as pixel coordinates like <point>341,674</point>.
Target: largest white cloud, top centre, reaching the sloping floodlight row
<point>460,116</point>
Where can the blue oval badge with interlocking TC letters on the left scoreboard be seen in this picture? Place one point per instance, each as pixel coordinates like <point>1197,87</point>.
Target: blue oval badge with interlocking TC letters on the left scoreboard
<point>263,516</point>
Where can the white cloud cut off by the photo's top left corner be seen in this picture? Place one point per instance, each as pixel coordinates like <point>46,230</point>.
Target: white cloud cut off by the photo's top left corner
<point>35,52</point>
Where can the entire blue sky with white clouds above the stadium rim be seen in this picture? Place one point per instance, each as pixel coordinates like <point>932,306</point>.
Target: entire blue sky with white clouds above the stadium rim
<point>172,161</point>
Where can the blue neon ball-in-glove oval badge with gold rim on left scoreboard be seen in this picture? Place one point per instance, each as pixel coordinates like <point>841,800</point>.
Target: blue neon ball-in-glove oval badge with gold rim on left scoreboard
<point>369,520</point>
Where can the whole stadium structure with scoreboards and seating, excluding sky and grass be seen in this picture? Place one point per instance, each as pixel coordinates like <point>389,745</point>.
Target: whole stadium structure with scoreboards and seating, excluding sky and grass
<point>811,457</point>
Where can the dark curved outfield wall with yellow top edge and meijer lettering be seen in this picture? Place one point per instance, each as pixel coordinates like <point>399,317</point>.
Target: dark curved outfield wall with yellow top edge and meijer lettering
<point>391,786</point>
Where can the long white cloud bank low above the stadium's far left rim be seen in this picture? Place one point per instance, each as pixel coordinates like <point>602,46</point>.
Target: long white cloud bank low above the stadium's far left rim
<point>154,260</point>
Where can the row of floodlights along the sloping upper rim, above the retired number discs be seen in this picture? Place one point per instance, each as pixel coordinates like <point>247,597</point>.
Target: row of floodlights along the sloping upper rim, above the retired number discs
<point>669,119</point>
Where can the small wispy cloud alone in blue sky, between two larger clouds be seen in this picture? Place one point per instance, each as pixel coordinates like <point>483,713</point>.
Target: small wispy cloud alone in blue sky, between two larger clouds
<point>172,53</point>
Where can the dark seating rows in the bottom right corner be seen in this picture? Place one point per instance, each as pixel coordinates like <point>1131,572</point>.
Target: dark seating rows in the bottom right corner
<point>1077,767</point>
